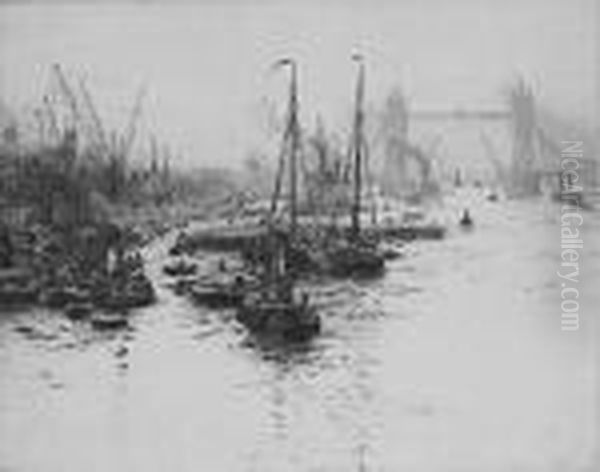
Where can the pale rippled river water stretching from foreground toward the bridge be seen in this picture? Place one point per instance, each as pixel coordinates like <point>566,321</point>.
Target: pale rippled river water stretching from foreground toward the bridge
<point>454,361</point>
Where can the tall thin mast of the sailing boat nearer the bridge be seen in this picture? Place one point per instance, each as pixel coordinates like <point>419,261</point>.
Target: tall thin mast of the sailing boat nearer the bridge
<point>358,144</point>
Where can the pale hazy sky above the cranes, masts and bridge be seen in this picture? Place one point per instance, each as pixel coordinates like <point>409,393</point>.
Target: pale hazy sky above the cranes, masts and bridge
<point>207,66</point>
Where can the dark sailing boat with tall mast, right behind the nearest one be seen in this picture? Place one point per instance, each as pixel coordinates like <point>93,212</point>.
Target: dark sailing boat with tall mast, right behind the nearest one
<point>353,255</point>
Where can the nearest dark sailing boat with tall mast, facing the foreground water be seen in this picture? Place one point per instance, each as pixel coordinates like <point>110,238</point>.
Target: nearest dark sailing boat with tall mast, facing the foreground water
<point>274,310</point>
